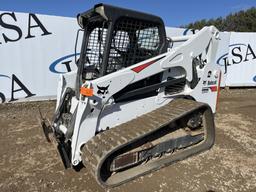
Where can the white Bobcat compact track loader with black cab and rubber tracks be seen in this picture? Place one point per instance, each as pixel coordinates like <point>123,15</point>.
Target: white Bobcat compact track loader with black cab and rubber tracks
<point>135,104</point>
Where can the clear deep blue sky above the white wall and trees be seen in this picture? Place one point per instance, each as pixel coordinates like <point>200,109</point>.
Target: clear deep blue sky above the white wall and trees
<point>175,13</point>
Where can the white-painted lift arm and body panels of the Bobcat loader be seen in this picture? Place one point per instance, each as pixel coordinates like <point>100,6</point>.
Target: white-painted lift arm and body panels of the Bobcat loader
<point>97,113</point>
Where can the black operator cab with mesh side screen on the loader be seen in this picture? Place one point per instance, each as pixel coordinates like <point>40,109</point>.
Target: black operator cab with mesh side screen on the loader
<point>115,38</point>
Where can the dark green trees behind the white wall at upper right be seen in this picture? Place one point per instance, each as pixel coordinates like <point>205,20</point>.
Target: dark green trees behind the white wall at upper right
<point>242,21</point>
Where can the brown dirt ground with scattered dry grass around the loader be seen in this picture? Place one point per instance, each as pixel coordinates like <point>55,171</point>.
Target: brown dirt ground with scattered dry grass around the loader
<point>29,163</point>
